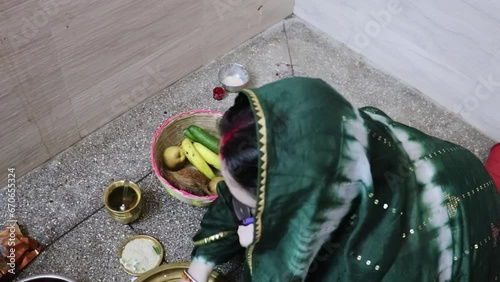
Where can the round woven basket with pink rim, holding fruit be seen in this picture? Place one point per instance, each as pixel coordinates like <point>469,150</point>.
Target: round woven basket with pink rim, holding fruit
<point>171,133</point>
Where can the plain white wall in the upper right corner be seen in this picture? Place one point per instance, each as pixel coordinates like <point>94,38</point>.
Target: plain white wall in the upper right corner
<point>448,49</point>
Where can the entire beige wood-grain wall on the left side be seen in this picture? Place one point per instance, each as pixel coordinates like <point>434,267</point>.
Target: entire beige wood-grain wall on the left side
<point>67,67</point>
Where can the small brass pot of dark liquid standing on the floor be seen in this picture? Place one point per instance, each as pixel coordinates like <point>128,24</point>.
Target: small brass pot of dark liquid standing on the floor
<point>123,201</point>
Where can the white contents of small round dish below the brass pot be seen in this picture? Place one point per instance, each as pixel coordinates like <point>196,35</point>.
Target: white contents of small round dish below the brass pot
<point>140,255</point>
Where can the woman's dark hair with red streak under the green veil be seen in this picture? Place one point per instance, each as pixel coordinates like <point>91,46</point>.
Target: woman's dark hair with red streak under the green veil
<point>239,143</point>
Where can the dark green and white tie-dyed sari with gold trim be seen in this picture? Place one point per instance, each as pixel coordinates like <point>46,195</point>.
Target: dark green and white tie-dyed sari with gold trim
<point>349,194</point>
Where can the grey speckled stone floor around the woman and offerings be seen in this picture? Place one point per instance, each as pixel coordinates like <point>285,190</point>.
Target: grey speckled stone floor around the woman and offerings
<point>60,203</point>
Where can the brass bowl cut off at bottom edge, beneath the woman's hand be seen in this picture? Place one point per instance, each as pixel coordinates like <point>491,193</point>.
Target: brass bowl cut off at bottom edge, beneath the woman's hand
<point>172,272</point>
